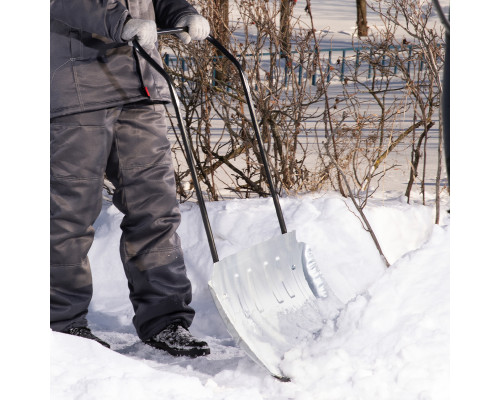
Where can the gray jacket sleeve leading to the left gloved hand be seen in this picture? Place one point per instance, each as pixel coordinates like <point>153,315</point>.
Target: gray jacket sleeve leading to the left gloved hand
<point>102,17</point>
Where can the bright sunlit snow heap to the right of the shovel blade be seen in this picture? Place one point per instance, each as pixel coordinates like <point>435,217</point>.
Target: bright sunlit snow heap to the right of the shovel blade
<point>391,341</point>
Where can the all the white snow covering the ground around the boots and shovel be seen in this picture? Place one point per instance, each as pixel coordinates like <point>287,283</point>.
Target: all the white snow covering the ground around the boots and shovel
<point>389,341</point>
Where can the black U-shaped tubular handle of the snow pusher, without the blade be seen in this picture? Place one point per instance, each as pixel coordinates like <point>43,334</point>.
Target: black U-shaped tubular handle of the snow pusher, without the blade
<point>182,128</point>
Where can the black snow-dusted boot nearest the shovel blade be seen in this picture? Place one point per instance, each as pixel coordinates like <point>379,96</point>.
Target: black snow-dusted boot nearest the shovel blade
<point>178,341</point>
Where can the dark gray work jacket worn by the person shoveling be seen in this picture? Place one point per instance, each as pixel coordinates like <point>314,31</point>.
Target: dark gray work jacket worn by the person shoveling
<point>91,67</point>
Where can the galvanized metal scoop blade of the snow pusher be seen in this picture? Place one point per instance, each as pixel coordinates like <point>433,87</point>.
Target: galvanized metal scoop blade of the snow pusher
<point>267,296</point>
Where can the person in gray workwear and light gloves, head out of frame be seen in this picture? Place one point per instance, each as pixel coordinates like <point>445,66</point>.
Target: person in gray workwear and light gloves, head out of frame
<point>107,117</point>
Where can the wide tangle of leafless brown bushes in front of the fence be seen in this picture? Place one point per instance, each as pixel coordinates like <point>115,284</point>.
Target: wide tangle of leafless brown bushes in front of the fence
<point>337,134</point>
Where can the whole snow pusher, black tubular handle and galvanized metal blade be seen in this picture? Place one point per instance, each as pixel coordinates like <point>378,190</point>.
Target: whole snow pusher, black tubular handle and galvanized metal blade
<point>267,295</point>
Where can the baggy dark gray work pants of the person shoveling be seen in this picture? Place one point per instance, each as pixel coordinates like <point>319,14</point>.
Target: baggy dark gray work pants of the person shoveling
<point>129,143</point>
